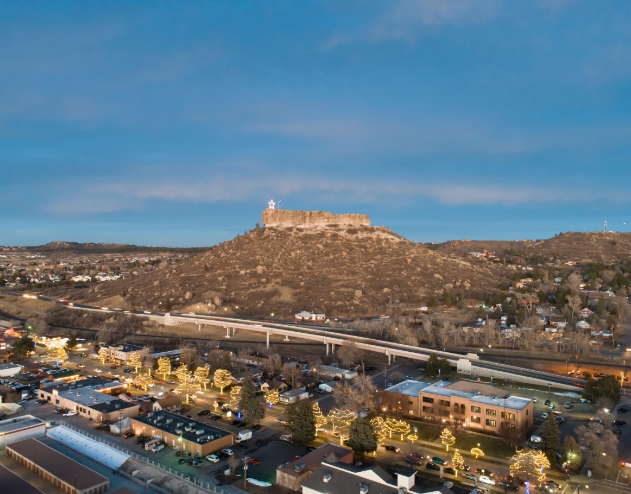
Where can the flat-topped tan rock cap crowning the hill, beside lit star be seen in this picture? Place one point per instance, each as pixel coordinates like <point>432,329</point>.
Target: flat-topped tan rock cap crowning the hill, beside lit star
<point>287,218</point>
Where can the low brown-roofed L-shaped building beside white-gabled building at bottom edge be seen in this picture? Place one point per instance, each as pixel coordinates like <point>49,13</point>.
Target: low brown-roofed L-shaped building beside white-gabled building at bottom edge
<point>293,475</point>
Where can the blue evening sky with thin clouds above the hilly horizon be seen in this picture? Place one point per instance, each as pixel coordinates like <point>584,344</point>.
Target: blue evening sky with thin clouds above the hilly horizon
<point>173,123</point>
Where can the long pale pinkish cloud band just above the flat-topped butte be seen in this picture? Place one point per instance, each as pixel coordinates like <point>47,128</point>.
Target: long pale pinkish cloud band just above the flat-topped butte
<point>107,198</point>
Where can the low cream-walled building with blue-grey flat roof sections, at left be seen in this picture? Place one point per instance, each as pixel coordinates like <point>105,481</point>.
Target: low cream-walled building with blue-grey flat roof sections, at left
<point>96,401</point>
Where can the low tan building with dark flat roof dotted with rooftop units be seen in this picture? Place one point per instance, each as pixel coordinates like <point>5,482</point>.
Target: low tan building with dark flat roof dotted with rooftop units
<point>190,435</point>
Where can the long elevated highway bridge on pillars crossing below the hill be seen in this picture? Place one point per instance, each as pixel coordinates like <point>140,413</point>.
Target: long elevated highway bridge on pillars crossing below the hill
<point>331,338</point>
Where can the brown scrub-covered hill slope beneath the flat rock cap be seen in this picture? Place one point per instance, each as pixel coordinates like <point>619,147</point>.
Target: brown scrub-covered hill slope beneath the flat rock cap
<point>337,269</point>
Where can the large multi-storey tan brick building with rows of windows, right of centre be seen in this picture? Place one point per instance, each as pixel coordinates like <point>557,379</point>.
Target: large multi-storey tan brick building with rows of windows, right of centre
<point>470,404</point>
